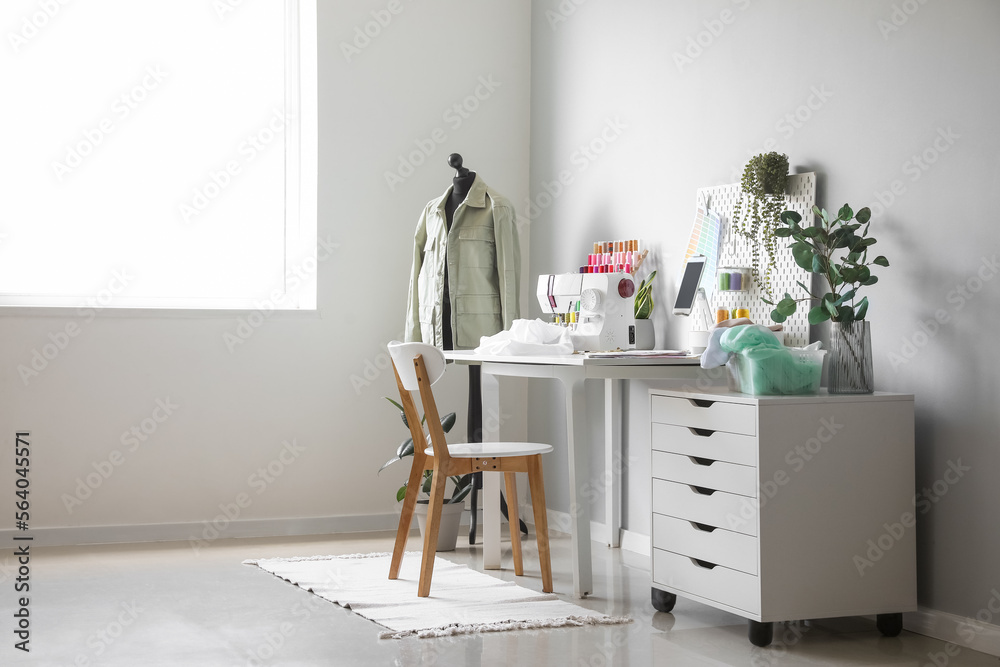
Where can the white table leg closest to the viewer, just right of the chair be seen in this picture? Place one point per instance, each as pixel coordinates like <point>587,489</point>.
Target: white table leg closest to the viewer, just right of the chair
<point>579,474</point>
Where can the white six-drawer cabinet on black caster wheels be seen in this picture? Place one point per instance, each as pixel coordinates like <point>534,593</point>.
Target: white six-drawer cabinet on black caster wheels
<point>769,507</point>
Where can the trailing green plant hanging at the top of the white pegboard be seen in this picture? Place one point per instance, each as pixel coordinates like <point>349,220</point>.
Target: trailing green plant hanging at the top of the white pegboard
<point>755,215</point>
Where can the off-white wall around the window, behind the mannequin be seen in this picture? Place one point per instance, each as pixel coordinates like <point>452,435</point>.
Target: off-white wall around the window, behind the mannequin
<point>292,379</point>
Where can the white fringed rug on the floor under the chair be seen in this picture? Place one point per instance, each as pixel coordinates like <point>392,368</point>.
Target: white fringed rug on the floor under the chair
<point>461,601</point>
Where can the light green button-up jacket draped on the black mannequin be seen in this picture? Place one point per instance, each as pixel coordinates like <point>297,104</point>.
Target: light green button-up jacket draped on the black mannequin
<point>484,269</point>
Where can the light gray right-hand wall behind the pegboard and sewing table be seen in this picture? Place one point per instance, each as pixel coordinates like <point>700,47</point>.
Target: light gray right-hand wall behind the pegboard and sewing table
<point>884,85</point>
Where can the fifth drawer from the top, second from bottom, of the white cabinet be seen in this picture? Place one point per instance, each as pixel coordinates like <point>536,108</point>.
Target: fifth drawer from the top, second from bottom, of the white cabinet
<point>715,545</point>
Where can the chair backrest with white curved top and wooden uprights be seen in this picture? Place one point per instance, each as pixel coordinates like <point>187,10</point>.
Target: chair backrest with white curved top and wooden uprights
<point>417,367</point>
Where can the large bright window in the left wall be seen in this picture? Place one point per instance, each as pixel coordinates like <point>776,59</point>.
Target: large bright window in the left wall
<point>161,151</point>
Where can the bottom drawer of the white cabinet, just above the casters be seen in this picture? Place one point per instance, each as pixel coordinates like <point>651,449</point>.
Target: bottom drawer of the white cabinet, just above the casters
<point>717,584</point>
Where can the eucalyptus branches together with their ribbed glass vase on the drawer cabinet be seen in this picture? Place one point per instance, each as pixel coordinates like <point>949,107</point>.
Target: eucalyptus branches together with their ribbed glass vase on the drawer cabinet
<point>837,250</point>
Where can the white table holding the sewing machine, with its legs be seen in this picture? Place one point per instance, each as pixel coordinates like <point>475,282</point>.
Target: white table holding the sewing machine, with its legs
<point>572,371</point>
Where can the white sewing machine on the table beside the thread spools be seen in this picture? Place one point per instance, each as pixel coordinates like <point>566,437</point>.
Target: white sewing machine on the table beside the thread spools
<point>598,308</point>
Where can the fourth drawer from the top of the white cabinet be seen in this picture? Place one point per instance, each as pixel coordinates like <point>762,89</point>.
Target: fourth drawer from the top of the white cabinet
<point>718,508</point>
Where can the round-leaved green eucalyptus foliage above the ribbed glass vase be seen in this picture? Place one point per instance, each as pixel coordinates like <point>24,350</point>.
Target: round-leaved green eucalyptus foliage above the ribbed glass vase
<point>837,250</point>
